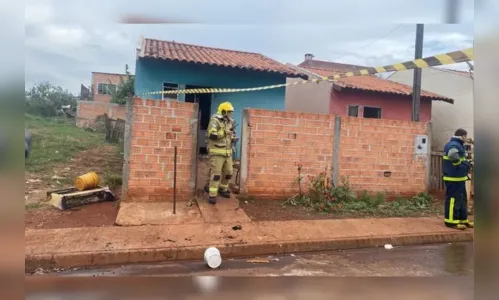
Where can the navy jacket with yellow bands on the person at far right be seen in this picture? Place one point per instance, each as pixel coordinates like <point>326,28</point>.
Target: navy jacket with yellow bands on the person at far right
<point>455,166</point>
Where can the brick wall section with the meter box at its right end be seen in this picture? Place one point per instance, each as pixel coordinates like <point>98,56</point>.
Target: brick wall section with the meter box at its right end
<point>371,147</point>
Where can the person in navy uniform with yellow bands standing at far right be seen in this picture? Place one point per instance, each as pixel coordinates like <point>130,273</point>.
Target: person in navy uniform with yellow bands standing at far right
<point>455,168</point>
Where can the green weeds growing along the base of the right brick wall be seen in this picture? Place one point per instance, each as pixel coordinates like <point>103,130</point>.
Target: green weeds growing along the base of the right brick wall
<point>321,196</point>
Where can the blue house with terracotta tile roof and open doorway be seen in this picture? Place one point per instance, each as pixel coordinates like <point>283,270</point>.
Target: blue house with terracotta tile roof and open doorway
<point>169,65</point>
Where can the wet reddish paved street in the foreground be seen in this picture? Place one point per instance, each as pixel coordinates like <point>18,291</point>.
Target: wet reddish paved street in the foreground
<point>452,263</point>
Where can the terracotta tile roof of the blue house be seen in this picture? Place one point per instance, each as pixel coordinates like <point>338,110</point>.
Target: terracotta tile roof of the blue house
<point>169,50</point>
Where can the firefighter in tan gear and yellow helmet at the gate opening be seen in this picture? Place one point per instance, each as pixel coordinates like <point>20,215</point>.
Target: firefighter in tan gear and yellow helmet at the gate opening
<point>220,135</point>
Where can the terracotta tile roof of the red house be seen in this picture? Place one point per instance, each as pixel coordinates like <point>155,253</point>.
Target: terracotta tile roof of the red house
<point>375,84</point>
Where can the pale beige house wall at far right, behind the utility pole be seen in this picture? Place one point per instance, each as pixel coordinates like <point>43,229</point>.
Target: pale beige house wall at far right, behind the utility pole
<point>445,118</point>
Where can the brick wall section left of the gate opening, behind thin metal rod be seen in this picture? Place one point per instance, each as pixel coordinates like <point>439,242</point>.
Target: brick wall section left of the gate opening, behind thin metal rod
<point>156,128</point>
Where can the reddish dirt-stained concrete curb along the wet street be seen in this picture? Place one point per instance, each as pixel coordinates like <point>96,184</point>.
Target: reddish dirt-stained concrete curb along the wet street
<point>149,255</point>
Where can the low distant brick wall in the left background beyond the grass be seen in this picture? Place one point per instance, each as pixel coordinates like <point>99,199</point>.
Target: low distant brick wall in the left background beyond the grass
<point>88,111</point>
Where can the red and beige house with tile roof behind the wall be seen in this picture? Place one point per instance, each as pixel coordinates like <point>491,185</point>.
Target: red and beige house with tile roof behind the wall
<point>362,96</point>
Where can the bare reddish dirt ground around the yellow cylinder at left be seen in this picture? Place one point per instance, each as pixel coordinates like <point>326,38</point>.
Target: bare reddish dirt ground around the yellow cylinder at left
<point>38,214</point>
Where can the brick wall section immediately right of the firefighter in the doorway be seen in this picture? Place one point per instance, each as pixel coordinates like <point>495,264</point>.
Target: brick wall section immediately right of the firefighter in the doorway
<point>278,142</point>
